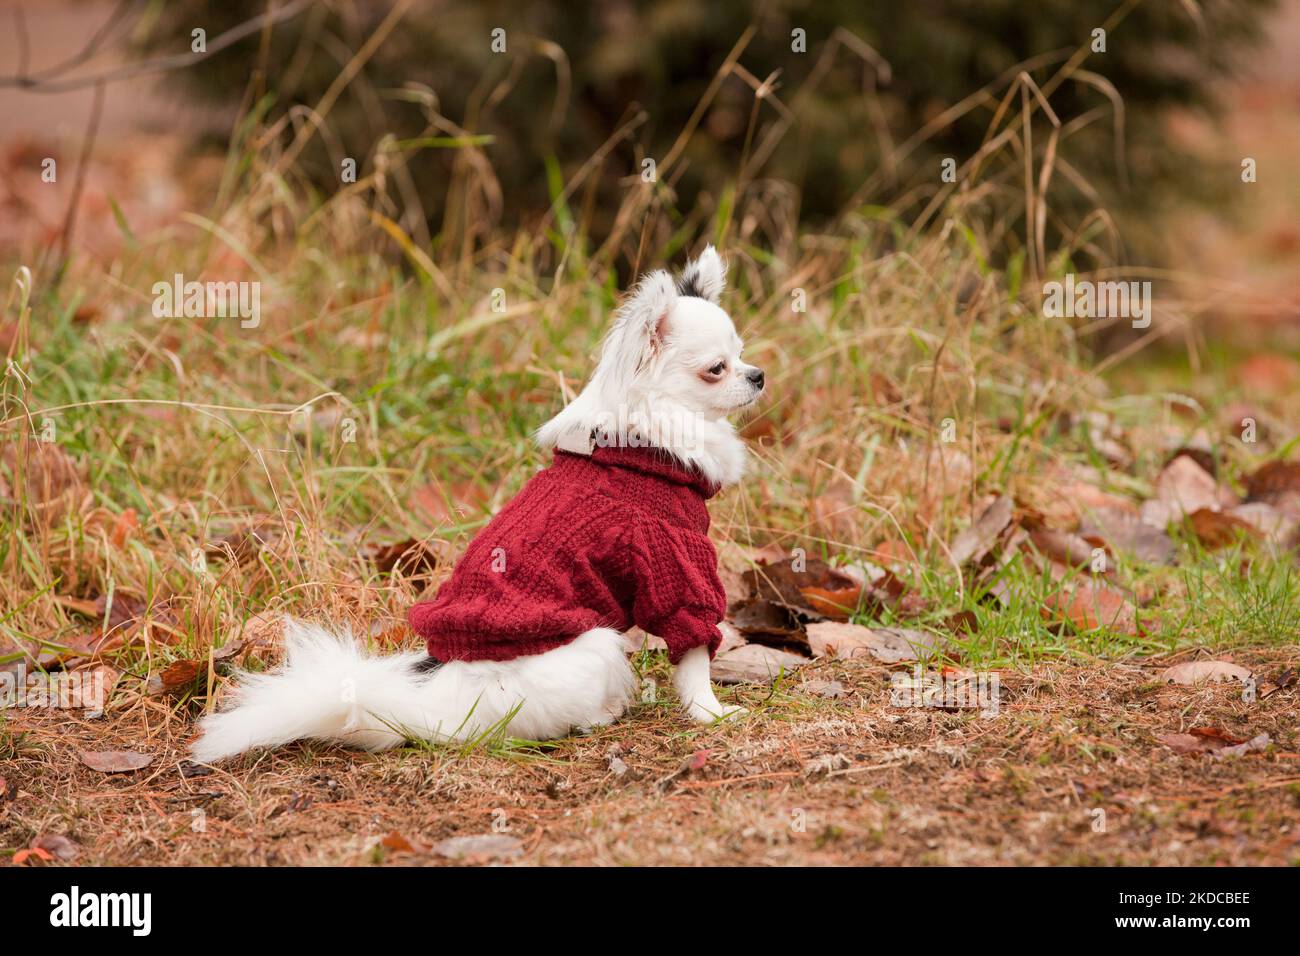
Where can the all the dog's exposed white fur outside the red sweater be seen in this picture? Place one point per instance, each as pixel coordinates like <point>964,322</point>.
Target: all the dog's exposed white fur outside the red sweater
<point>653,379</point>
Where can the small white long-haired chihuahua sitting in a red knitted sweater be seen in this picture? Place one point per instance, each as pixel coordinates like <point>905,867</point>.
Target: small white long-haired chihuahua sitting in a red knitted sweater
<point>526,635</point>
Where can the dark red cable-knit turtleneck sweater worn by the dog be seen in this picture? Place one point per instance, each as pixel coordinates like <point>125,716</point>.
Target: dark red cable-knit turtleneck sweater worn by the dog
<point>613,540</point>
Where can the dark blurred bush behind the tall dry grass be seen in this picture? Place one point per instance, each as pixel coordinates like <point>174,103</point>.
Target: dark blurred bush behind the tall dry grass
<point>842,139</point>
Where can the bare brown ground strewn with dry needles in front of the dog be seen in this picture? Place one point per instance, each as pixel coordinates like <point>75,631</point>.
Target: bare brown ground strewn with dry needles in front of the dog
<point>1069,772</point>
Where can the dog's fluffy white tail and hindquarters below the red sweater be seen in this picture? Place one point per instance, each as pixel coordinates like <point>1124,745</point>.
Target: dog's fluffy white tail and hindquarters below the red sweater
<point>330,689</point>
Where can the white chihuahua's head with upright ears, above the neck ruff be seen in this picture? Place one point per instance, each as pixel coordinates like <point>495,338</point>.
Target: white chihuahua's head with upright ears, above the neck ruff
<point>673,344</point>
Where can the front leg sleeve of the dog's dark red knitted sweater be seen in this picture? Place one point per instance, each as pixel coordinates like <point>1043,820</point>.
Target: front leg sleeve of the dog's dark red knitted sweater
<point>679,596</point>
